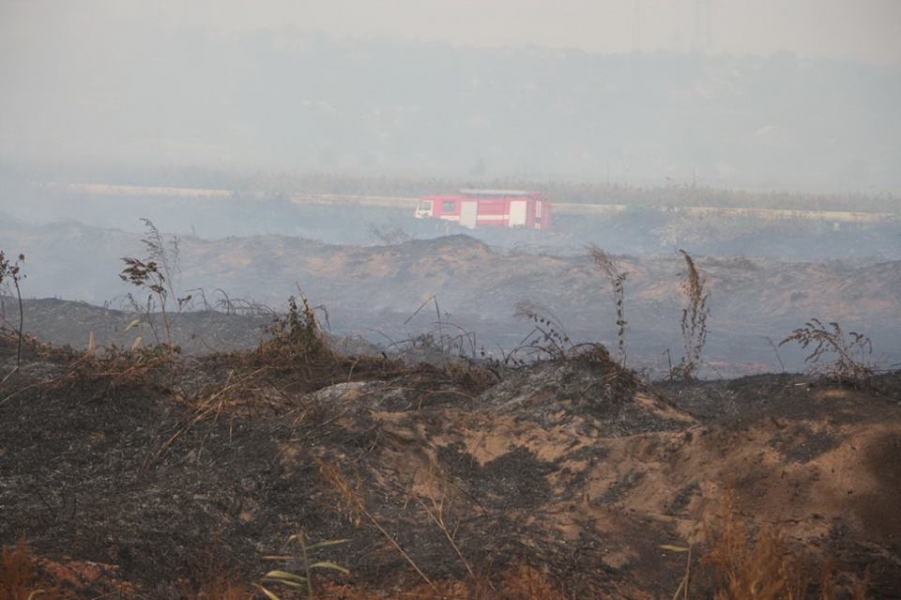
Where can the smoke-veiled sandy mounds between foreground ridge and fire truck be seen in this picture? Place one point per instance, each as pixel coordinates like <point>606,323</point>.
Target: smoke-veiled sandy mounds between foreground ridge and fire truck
<point>375,291</point>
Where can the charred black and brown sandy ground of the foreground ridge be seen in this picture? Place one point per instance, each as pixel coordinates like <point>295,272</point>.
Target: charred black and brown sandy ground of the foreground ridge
<point>143,475</point>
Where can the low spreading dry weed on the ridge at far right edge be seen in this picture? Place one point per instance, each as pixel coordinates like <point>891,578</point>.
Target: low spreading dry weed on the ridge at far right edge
<point>852,351</point>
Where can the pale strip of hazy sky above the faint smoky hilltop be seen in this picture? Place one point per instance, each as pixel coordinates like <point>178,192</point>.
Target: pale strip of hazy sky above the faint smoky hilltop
<point>861,29</point>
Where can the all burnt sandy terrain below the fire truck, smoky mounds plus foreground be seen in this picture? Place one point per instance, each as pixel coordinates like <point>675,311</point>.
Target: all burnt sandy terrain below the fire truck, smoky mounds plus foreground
<point>143,474</point>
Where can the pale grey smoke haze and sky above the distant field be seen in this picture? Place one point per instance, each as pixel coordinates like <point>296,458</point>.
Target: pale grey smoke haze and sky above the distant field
<point>792,95</point>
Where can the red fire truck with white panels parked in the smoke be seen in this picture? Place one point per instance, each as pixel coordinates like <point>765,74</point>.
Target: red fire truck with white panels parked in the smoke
<point>494,208</point>
